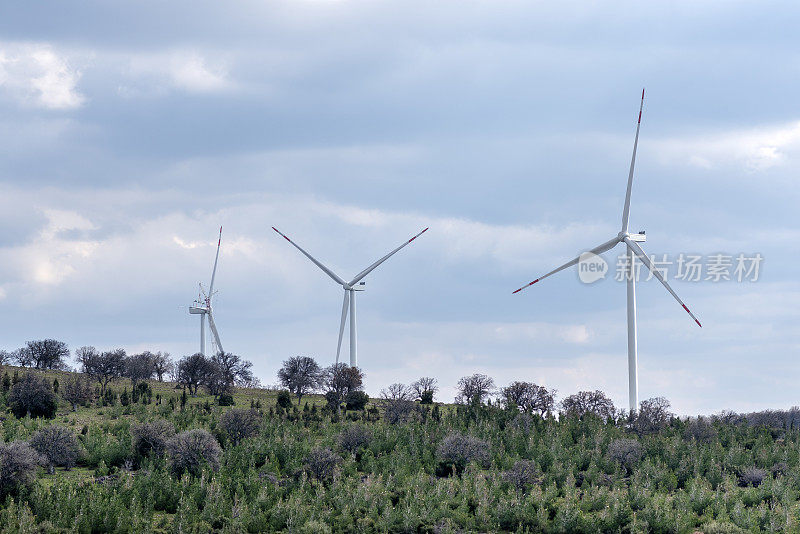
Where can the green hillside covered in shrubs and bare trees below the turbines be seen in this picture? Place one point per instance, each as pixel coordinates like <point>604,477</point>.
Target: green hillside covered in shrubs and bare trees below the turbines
<point>170,462</point>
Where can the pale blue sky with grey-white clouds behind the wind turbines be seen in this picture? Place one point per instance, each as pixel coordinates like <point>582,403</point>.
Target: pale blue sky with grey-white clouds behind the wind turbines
<point>129,132</point>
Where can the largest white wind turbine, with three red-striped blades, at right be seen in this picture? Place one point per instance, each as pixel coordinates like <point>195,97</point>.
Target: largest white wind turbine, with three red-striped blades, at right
<point>634,251</point>
